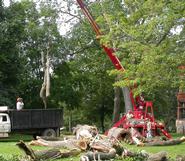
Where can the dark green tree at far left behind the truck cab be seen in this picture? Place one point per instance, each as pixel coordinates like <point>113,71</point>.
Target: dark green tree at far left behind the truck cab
<point>11,30</point>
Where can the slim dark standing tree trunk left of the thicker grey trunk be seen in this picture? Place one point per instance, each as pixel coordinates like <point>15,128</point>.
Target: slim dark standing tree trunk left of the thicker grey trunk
<point>116,112</point>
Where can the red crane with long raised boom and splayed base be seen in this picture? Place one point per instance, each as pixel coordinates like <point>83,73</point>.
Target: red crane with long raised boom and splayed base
<point>137,119</point>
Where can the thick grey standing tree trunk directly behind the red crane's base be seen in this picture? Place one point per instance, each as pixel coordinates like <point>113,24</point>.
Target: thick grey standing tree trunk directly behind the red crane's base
<point>127,100</point>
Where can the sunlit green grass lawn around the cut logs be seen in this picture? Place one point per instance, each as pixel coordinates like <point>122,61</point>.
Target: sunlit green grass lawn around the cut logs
<point>8,147</point>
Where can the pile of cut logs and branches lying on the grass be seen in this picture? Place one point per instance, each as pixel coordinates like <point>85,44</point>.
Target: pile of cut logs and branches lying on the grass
<point>97,147</point>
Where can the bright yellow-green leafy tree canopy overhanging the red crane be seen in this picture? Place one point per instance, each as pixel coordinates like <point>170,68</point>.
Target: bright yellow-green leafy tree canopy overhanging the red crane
<point>148,36</point>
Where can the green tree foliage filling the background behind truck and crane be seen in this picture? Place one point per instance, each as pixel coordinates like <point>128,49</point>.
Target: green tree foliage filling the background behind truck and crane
<point>148,38</point>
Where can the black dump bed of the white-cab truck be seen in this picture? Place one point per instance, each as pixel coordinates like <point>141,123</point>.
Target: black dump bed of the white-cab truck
<point>42,122</point>
